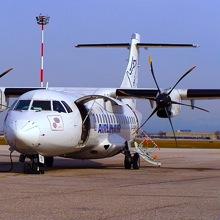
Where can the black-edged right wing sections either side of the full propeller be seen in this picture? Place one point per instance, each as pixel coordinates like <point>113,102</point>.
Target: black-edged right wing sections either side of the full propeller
<point>185,94</point>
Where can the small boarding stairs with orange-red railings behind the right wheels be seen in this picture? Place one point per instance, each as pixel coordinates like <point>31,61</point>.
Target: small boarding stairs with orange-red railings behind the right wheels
<point>147,149</point>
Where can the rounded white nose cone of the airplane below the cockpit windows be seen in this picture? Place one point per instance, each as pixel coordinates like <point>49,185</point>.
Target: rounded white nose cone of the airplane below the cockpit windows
<point>22,134</point>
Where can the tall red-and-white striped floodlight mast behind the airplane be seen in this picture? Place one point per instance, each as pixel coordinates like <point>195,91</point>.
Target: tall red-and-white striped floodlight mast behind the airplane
<point>42,21</point>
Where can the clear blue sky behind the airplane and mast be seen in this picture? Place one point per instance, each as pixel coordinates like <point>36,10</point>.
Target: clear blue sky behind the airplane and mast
<point>112,21</point>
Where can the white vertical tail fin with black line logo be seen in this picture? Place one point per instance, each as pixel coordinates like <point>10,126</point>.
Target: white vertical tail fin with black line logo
<point>130,79</point>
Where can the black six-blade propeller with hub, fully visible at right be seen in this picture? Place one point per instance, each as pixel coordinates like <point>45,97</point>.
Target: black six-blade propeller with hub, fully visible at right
<point>164,102</point>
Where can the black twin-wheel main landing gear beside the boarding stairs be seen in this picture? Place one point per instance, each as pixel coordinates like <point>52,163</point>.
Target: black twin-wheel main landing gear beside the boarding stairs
<point>131,161</point>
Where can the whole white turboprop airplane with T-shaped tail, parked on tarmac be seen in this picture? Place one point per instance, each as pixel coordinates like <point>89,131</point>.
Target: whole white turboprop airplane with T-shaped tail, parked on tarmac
<point>88,123</point>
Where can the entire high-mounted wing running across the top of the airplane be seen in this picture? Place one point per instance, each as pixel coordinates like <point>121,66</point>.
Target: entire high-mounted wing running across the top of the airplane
<point>139,93</point>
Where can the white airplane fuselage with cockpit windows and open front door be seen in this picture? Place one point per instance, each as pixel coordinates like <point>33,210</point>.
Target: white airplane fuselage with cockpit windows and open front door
<point>94,129</point>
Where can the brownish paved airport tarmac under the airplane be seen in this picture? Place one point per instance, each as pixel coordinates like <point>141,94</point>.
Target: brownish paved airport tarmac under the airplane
<point>185,187</point>
